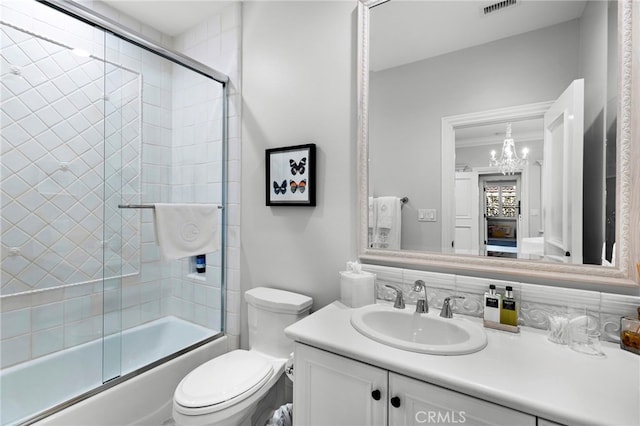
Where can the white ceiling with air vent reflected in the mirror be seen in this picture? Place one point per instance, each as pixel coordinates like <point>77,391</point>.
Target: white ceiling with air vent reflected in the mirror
<point>407,31</point>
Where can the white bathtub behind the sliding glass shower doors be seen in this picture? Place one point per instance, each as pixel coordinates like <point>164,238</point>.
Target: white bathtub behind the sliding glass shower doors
<point>33,387</point>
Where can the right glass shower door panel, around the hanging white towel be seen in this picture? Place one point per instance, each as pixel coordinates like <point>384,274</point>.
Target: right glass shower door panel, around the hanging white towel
<point>164,143</point>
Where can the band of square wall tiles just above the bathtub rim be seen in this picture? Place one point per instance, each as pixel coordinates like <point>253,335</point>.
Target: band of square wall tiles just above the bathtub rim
<point>42,322</point>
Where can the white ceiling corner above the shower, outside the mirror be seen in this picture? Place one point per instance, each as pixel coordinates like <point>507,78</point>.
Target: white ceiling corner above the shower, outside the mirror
<point>171,17</point>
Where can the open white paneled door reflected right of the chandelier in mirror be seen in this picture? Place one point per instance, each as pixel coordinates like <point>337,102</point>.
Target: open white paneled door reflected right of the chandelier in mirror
<point>562,176</point>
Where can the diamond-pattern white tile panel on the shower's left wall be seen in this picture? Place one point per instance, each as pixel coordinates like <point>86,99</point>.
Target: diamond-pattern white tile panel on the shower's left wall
<point>59,130</point>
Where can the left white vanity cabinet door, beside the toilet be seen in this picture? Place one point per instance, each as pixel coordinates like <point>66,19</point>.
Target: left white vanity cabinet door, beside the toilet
<point>332,390</point>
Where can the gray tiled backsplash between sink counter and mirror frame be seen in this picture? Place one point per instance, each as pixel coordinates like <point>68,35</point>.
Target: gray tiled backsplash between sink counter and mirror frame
<point>536,302</point>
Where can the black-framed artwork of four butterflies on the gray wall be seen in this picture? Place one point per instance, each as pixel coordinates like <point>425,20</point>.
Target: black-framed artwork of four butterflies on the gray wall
<point>291,175</point>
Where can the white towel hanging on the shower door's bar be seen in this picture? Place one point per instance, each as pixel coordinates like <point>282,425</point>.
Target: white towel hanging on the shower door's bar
<point>184,230</point>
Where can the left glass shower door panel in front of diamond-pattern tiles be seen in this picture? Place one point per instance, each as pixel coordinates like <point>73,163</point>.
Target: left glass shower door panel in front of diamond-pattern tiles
<point>52,217</point>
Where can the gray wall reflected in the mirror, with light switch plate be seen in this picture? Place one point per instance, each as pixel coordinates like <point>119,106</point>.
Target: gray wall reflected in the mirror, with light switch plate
<point>405,127</point>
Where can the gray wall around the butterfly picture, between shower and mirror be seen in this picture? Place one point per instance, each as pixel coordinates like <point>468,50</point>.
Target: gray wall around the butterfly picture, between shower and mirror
<point>298,87</point>
